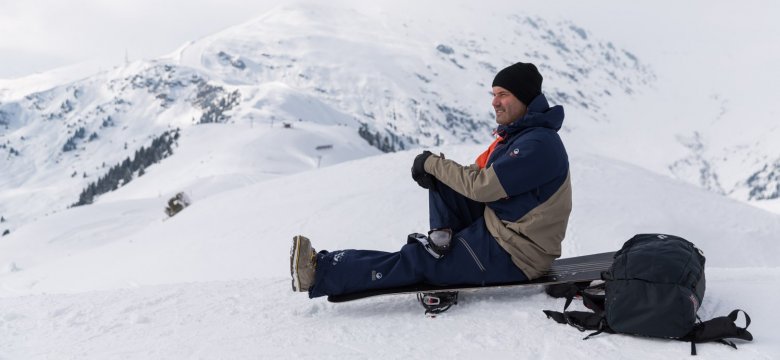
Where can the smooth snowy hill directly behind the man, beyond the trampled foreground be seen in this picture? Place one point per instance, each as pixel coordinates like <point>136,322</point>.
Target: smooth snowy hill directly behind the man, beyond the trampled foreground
<point>366,203</point>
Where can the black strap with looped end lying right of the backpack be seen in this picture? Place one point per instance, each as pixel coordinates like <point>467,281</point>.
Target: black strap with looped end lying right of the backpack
<point>719,329</point>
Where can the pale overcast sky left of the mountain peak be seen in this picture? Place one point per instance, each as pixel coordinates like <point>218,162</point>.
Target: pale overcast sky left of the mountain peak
<point>38,35</point>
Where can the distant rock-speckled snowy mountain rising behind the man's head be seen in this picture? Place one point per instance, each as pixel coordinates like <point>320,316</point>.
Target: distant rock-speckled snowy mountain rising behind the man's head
<point>397,80</point>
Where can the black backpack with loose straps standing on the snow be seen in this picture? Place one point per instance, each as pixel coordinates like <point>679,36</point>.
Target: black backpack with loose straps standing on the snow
<point>654,288</point>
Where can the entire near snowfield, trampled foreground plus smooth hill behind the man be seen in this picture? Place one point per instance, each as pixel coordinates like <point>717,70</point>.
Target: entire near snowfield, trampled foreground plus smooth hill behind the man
<point>240,240</point>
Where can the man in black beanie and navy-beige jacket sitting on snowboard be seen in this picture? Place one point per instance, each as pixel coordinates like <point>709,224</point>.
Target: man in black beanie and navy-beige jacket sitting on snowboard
<point>501,219</point>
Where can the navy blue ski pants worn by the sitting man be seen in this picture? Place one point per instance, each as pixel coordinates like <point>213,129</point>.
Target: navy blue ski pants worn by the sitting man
<point>475,258</point>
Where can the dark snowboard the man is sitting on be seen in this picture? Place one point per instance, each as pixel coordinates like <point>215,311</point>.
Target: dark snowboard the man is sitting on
<point>567,270</point>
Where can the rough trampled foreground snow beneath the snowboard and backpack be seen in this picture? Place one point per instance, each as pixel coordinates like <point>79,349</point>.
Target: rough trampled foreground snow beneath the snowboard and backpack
<point>262,319</point>
